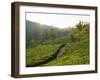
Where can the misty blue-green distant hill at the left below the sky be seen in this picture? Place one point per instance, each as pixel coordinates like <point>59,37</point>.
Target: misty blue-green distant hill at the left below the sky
<point>37,32</point>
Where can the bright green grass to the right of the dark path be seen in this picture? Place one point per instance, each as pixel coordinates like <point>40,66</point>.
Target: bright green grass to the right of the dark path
<point>75,54</point>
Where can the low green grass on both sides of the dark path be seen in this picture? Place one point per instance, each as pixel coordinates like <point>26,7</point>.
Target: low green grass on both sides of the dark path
<point>75,53</point>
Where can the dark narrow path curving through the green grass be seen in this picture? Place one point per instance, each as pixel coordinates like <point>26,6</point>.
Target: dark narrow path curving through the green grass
<point>57,54</point>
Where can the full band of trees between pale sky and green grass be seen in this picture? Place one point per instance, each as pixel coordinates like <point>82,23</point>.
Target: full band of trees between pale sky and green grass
<point>39,34</point>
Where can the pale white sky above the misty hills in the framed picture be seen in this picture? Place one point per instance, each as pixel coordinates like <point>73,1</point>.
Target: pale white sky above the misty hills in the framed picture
<point>57,20</point>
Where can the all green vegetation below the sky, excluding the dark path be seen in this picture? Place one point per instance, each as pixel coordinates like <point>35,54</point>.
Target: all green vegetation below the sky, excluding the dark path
<point>42,41</point>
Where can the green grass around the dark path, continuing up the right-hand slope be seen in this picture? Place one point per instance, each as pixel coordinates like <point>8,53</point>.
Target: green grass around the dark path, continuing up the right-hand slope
<point>76,51</point>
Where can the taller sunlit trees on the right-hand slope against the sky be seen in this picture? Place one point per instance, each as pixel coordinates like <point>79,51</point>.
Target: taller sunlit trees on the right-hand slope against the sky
<point>81,29</point>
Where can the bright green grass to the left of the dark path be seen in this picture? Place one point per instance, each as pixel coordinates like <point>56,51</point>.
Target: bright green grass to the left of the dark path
<point>40,52</point>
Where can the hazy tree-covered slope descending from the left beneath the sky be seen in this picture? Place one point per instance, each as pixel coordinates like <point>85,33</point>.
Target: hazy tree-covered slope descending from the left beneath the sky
<point>36,33</point>
